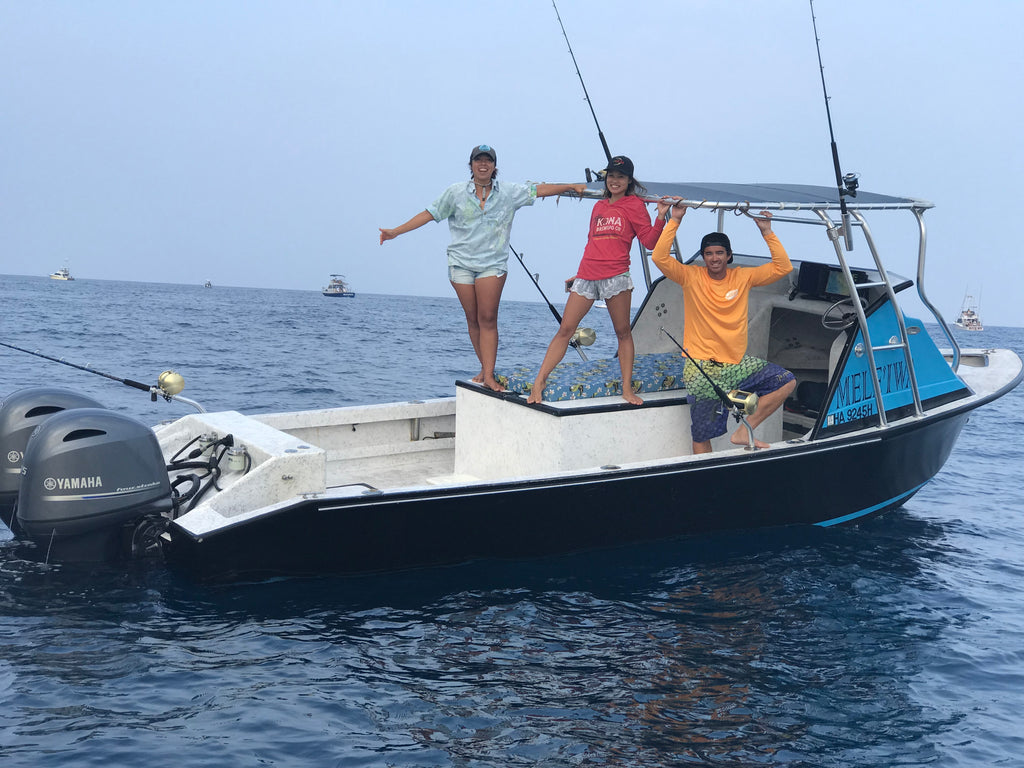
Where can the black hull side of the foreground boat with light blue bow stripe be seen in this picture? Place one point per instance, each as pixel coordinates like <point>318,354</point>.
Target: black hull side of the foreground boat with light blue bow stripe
<point>801,484</point>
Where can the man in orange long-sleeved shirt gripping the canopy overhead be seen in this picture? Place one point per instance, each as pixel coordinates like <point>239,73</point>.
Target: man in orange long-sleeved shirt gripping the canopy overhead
<point>715,303</point>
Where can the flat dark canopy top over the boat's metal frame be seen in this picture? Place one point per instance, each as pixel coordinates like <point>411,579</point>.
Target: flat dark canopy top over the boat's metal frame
<point>770,197</point>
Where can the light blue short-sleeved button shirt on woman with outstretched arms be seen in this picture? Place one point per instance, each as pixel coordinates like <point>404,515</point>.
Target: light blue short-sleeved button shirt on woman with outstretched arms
<point>481,237</point>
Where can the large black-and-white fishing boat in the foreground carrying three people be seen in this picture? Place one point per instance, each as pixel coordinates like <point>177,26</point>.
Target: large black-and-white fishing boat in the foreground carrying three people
<point>484,475</point>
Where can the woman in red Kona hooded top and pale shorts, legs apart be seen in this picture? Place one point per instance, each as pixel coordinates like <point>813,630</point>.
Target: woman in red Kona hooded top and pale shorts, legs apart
<point>605,271</point>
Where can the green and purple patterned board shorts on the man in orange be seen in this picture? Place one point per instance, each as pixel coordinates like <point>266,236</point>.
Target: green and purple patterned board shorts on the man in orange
<point>751,375</point>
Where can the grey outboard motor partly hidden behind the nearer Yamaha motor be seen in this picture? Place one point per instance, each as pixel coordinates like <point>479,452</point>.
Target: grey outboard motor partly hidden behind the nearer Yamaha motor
<point>21,413</point>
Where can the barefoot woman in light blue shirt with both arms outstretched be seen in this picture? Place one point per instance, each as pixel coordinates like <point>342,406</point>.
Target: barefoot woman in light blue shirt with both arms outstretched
<point>480,214</point>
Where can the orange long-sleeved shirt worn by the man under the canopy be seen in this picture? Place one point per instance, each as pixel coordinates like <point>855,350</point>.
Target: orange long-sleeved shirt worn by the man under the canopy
<point>716,310</point>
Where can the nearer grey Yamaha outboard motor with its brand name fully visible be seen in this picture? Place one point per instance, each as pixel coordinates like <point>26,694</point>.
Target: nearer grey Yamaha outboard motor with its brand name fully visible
<point>95,485</point>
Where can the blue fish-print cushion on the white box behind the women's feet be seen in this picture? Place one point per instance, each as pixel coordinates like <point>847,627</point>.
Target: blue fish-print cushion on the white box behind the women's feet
<point>574,380</point>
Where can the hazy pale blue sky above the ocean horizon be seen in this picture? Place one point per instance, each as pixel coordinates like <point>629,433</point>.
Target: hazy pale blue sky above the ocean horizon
<point>264,143</point>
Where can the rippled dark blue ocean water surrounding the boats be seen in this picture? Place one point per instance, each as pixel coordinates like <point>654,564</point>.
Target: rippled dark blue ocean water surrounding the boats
<point>893,644</point>
